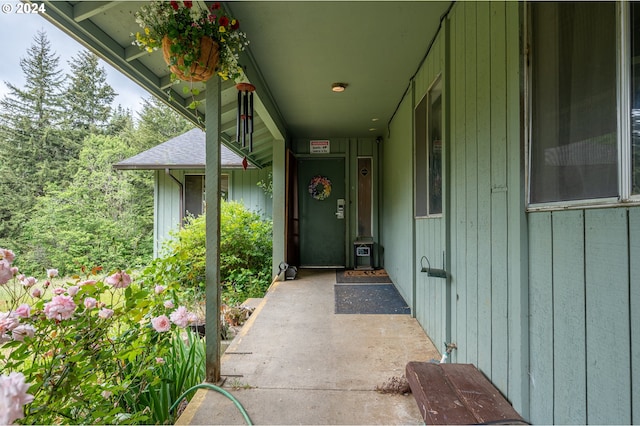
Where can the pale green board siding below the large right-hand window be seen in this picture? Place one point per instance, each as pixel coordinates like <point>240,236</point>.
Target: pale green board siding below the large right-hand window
<point>584,295</point>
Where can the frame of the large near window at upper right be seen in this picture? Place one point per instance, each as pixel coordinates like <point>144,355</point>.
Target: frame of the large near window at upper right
<point>623,119</point>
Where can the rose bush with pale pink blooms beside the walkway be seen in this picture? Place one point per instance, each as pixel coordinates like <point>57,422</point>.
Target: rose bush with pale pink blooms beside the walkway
<point>96,350</point>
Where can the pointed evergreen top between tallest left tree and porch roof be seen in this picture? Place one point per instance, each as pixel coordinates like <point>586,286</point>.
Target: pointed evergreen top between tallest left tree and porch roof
<point>89,96</point>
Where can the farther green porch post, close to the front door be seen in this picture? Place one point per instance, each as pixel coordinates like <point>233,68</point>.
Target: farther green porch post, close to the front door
<point>278,173</point>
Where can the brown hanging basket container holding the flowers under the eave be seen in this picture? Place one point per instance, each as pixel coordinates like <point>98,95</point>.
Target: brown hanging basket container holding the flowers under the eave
<point>201,69</point>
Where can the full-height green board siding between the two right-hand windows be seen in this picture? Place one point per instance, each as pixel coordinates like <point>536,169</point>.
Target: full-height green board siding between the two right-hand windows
<point>488,239</point>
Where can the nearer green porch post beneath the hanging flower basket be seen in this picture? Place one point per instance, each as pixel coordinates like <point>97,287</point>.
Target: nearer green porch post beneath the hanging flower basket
<point>212,274</point>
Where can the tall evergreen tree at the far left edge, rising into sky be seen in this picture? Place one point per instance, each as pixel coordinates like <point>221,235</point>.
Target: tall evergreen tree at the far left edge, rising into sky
<point>33,148</point>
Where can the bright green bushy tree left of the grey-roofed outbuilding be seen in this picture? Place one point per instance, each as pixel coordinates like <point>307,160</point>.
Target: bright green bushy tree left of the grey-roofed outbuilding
<point>97,220</point>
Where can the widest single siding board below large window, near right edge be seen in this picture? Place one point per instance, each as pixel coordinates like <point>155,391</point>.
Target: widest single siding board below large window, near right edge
<point>607,296</point>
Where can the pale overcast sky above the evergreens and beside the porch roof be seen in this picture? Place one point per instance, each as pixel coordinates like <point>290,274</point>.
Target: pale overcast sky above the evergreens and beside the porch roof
<point>16,36</point>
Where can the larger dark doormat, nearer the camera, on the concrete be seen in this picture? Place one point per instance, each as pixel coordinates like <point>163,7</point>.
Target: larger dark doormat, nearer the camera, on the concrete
<point>369,299</point>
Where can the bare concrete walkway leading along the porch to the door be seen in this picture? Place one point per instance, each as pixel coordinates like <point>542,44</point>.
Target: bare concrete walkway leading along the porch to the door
<point>297,362</point>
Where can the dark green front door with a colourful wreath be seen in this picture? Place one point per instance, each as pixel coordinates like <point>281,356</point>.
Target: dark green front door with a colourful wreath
<point>322,213</point>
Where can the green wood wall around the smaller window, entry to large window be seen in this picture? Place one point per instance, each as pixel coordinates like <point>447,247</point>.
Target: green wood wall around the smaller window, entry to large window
<point>484,192</point>
